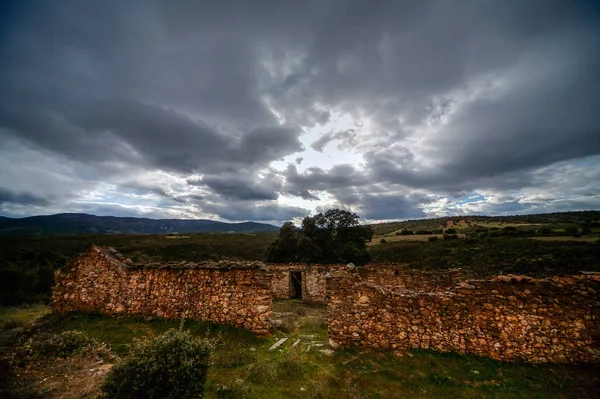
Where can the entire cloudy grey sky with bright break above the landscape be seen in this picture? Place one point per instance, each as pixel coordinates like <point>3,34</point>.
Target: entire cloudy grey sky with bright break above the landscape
<point>274,110</point>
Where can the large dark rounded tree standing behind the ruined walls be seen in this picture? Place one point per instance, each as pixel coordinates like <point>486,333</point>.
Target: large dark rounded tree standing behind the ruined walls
<point>331,237</point>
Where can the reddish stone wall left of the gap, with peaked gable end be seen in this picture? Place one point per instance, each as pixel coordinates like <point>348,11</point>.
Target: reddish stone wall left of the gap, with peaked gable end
<point>102,281</point>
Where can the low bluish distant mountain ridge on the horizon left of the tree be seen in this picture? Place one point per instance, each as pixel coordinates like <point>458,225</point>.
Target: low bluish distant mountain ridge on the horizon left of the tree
<point>82,223</point>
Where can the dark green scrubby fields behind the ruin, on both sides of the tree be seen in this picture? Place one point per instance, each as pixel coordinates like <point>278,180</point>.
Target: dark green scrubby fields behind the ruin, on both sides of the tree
<point>27,264</point>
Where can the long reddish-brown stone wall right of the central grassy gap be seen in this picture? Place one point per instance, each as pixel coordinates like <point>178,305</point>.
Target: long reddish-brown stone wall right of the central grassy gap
<point>507,318</point>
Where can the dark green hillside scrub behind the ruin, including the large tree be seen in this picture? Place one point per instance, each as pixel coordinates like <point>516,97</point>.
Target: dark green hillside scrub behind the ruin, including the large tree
<point>27,264</point>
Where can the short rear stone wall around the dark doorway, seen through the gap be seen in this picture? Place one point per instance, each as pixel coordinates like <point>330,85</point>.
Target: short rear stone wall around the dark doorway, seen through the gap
<point>313,281</point>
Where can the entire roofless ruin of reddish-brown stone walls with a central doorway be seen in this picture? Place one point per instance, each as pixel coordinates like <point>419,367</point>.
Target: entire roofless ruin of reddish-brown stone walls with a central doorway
<point>509,318</point>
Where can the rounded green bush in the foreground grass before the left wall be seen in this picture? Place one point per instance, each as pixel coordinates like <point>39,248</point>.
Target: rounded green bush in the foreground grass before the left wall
<point>173,365</point>
